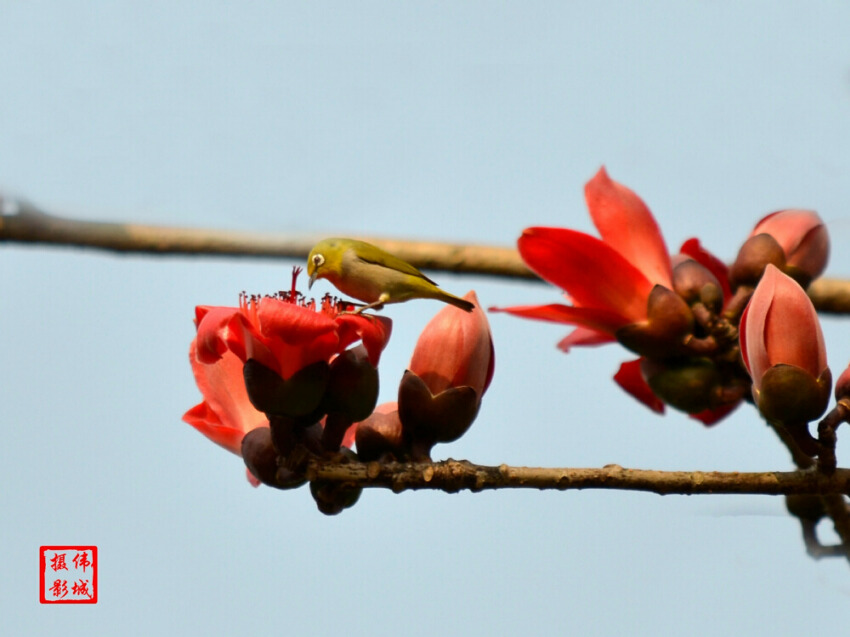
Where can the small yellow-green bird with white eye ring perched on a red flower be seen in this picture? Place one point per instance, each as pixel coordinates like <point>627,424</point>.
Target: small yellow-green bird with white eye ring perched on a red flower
<point>372,275</point>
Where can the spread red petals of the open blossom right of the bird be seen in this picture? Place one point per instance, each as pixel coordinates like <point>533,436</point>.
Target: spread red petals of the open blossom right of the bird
<point>608,280</point>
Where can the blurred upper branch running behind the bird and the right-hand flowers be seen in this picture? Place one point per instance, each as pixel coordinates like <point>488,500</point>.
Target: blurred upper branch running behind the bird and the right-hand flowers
<point>22,222</point>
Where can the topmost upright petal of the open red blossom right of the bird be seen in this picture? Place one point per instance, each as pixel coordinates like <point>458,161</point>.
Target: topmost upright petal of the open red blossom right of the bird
<point>627,225</point>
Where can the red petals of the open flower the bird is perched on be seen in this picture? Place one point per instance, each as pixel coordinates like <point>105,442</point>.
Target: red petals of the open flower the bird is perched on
<point>284,336</point>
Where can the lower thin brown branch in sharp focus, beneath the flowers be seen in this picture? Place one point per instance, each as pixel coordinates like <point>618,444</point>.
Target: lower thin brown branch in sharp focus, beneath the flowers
<point>460,475</point>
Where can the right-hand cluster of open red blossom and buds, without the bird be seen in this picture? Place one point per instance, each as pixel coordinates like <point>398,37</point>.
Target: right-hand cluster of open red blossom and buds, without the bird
<point>682,314</point>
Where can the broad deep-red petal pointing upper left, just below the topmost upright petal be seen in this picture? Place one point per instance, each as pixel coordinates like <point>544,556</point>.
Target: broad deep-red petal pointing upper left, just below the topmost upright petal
<point>594,274</point>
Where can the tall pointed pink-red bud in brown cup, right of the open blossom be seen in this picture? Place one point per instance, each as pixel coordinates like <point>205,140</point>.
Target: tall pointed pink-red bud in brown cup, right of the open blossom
<point>783,350</point>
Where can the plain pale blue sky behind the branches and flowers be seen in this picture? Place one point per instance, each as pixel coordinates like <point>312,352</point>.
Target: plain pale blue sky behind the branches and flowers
<point>455,121</point>
